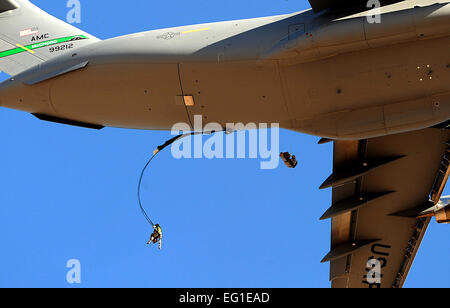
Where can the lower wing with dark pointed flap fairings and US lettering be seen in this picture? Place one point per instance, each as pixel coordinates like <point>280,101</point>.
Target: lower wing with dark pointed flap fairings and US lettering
<point>380,186</point>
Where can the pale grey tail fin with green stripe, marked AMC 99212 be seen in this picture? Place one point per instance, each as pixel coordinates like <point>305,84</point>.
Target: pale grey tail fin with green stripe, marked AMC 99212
<point>29,36</point>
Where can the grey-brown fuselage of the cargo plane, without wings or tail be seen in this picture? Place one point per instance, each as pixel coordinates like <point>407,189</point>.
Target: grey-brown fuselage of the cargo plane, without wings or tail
<point>339,77</point>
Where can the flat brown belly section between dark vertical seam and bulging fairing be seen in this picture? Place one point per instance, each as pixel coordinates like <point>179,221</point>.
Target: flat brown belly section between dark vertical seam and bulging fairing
<point>236,92</point>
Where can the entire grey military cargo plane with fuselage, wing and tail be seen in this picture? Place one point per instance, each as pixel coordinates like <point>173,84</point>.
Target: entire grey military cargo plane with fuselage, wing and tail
<point>370,76</point>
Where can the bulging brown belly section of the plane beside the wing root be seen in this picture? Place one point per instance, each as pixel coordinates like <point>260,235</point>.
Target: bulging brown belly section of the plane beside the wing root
<point>371,93</point>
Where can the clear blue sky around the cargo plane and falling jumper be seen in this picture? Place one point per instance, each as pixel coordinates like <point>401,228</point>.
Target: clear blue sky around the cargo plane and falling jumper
<point>70,193</point>
